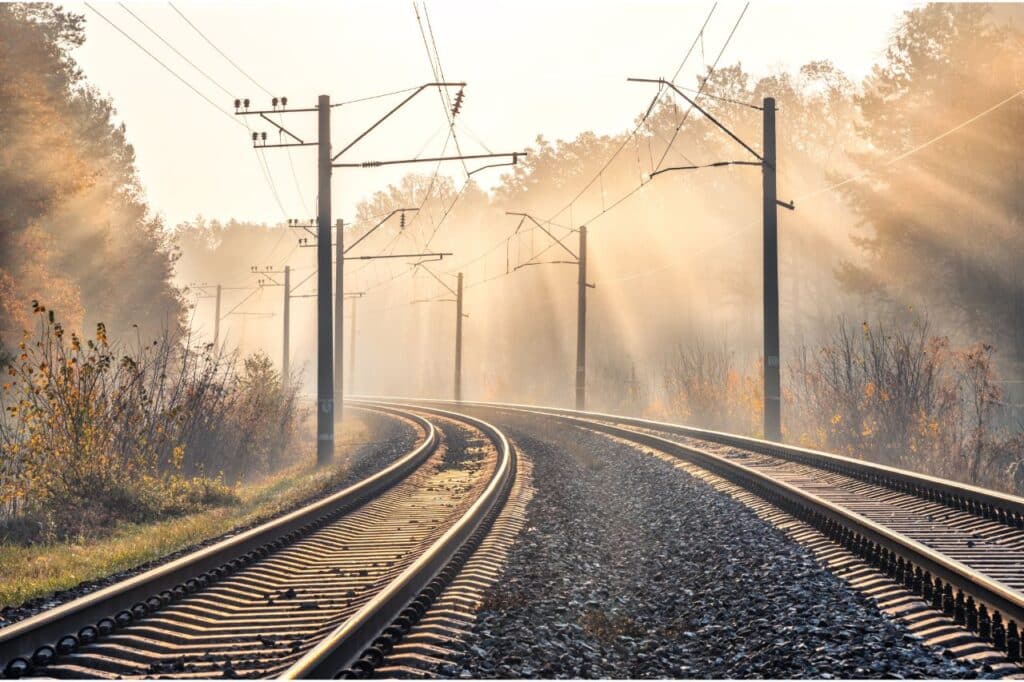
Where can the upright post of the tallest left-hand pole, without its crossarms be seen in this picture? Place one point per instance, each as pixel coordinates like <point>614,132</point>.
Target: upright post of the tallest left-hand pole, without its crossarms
<point>325,347</point>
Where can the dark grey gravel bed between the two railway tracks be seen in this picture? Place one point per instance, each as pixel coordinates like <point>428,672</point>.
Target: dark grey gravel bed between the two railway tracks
<point>630,568</point>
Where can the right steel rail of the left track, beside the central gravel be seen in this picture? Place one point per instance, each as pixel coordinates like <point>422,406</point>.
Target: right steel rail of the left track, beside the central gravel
<point>343,648</point>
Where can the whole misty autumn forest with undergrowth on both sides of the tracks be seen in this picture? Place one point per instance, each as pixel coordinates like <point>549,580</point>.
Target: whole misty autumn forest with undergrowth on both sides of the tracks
<point>902,289</point>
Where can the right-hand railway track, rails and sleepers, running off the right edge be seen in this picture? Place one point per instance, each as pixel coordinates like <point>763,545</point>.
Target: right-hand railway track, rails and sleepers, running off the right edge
<point>956,547</point>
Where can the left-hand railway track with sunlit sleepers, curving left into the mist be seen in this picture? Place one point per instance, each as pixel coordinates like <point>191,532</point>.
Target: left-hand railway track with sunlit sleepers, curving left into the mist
<point>327,589</point>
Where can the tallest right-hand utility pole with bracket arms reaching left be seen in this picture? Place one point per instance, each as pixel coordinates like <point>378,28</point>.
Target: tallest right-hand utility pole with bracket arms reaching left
<point>767,161</point>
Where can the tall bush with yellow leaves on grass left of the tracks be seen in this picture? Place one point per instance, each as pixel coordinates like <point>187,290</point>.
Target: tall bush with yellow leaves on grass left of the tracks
<point>93,435</point>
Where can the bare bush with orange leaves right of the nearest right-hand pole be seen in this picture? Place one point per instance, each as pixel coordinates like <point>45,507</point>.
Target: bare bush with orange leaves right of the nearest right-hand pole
<point>903,397</point>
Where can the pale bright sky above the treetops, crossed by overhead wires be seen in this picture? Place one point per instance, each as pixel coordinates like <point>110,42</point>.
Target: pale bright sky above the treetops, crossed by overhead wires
<point>551,68</point>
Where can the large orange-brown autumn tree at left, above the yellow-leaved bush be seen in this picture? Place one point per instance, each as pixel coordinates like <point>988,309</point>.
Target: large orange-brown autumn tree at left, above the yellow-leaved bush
<point>75,230</point>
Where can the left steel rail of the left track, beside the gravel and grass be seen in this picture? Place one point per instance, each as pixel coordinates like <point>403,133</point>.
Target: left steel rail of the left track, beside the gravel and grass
<point>39,640</point>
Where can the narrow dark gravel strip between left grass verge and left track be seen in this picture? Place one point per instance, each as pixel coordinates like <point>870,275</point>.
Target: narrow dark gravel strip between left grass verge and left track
<point>393,439</point>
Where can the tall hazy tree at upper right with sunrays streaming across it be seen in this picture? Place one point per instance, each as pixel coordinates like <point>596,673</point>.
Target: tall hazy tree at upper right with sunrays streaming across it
<point>943,228</point>
